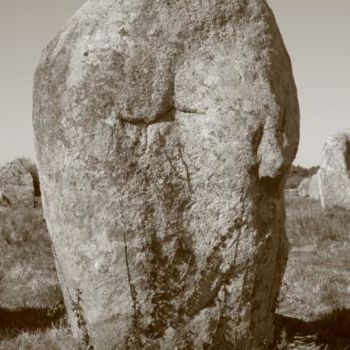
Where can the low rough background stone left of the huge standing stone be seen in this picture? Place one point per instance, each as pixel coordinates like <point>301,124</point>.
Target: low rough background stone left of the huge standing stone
<point>16,185</point>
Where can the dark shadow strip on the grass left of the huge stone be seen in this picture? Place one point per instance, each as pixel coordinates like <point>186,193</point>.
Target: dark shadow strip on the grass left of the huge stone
<point>14,322</point>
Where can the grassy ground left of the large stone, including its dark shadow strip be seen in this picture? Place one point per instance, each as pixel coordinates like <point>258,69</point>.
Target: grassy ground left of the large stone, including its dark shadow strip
<point>30,297</point>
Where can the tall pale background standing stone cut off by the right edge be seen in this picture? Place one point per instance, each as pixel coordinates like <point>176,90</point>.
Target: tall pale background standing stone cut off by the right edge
<point>334,173</point>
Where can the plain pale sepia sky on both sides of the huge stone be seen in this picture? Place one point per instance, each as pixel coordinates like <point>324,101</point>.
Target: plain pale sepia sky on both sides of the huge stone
<point>316,33</point>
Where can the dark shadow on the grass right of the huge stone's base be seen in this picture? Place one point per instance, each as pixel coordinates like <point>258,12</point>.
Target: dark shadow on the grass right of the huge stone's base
<point>331,331</point>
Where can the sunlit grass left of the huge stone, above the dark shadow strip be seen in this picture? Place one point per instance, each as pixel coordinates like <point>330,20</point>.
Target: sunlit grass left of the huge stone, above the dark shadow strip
<point>27,269</point>
